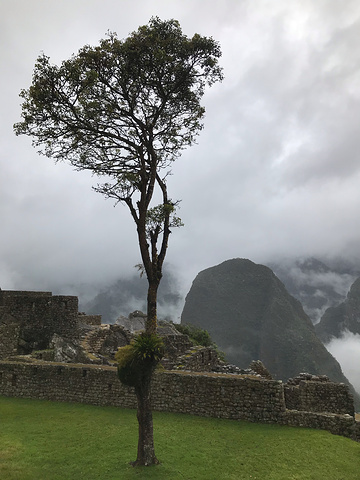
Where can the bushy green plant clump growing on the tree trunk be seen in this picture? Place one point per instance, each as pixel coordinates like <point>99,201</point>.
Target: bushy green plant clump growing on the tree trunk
<point>138,359</point>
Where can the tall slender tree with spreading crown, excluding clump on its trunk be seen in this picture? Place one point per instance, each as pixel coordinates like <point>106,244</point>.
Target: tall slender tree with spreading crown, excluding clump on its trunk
<point>125,110</point>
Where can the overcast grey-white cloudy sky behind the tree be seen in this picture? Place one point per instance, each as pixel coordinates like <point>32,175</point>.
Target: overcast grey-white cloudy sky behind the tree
<point>276,171</point>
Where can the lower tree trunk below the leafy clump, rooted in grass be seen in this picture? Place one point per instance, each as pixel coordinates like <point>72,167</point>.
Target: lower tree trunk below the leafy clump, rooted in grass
<point>146,451</point>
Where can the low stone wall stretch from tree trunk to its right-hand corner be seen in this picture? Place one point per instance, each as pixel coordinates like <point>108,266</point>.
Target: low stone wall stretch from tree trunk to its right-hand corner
<point>220,396</point>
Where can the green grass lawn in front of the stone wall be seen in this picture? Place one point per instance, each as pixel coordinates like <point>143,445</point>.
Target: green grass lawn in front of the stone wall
<point>42,440</point>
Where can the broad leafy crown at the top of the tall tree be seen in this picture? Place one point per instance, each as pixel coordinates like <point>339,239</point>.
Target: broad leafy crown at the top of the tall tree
<point>112,107</point>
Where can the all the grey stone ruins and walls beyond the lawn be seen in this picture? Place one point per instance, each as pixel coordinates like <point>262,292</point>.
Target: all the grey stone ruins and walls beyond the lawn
<point>72,363</point>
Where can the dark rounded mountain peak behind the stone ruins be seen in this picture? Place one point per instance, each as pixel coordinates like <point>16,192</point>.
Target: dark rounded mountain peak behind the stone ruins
<point>250,315</point>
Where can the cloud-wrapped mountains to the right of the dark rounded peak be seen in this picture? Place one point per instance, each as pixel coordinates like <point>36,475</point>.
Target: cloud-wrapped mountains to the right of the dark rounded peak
<point>325,290</point>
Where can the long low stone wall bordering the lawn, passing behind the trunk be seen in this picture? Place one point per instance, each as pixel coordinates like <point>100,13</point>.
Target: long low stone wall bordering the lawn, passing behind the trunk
<point>213,395</point>
